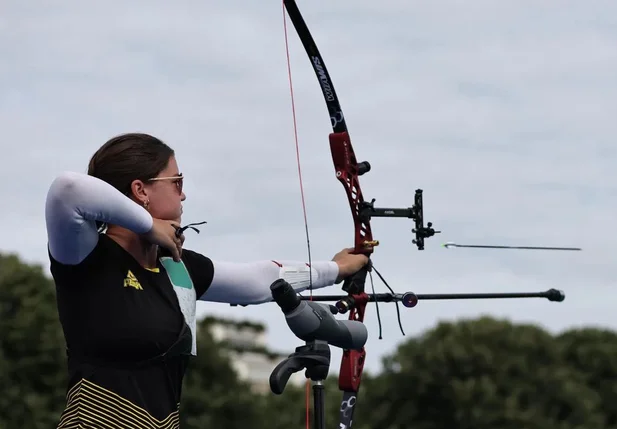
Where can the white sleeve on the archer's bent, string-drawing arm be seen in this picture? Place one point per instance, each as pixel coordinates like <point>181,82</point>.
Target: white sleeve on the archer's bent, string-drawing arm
<point>74,202</point>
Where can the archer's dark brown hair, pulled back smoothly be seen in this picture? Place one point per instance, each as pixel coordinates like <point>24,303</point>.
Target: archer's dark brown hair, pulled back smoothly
<point>128,157</point>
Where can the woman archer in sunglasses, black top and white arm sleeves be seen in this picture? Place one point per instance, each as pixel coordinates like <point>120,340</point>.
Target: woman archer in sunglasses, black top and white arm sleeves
<point>127,290</point>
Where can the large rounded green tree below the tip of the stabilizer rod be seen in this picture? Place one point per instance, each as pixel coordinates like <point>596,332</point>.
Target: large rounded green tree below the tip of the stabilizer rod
<point>483,374</point>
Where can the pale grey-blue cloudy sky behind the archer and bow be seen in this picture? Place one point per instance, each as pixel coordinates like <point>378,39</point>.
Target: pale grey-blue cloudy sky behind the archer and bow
<point>503,112</point>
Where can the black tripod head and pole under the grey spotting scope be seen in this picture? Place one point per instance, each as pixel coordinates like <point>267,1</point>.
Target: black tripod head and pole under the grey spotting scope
<point>315,358</point>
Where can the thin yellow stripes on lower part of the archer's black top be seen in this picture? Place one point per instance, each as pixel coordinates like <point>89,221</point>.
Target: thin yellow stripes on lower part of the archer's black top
<point>94,405</point>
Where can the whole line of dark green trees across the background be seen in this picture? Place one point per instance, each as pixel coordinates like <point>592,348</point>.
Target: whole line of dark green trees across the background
<point>473,374</point>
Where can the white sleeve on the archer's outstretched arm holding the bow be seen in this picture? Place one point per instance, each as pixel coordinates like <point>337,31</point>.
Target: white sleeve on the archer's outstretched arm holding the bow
<point>249,283</point>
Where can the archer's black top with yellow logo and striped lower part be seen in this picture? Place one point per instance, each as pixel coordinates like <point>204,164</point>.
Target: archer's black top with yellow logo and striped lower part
<point>129,333</point>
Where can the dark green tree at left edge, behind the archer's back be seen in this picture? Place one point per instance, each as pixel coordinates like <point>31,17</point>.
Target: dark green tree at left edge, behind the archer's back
<point>32,352</point>
